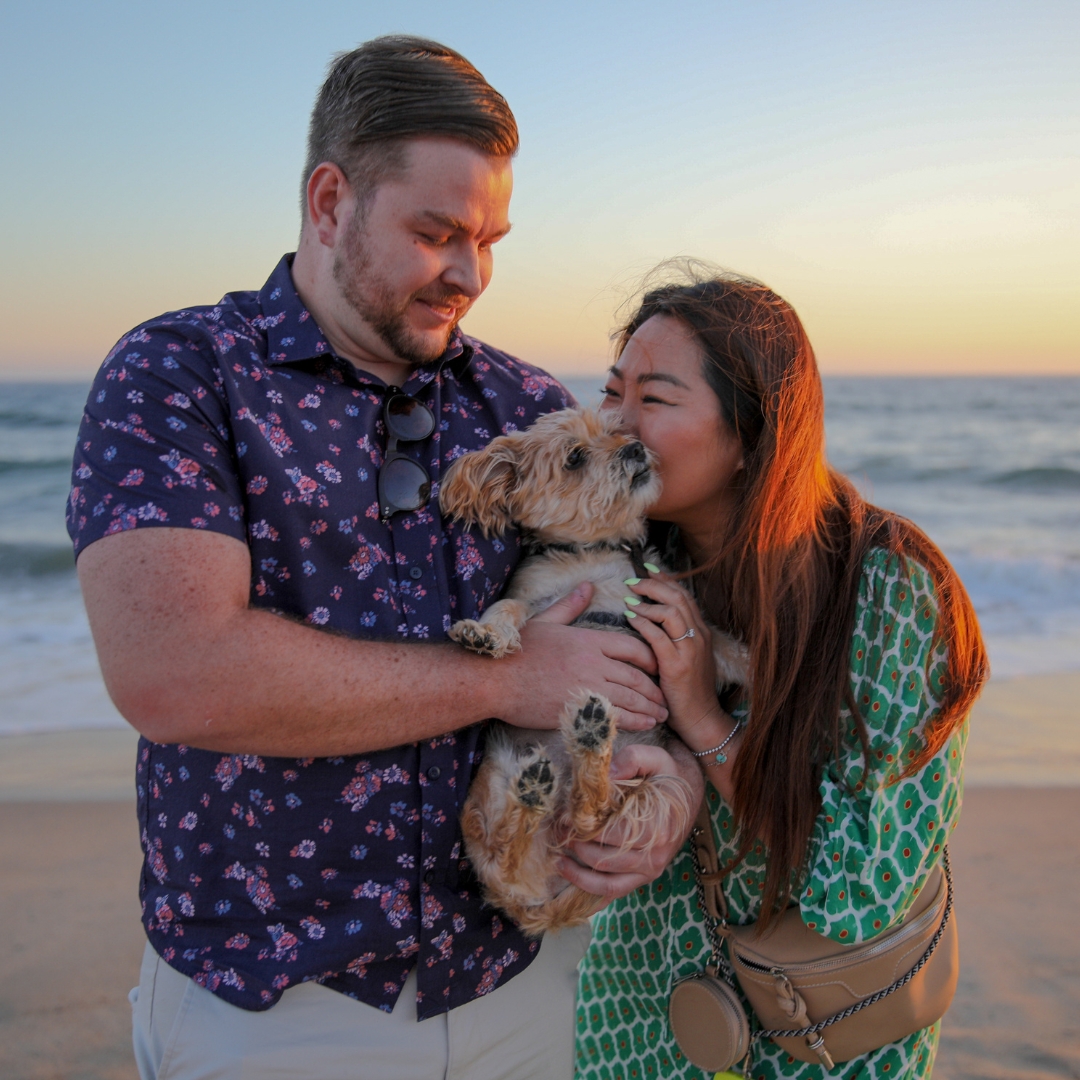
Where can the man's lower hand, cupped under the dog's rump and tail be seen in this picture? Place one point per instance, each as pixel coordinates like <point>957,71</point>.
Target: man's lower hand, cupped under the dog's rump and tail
<point>601,867</point>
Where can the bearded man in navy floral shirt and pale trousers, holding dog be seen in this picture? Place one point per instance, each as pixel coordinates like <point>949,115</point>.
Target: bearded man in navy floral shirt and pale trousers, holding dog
<point>271,584</point>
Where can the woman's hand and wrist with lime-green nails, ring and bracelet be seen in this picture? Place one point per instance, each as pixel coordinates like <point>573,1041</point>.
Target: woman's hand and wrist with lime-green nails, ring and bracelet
<point>683,644</point>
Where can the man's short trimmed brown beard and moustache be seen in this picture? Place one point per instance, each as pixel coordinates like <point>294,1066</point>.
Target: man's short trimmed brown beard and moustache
<point>373,300</point>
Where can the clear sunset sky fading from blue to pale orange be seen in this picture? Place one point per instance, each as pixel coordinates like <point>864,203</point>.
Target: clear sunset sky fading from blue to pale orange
<point>908,174</point>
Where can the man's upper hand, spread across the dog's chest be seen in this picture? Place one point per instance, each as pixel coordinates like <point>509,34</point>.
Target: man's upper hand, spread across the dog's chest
<point>558,659</point>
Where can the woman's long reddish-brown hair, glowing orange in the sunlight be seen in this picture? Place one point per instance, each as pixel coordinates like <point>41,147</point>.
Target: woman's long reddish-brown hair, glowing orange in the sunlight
<point>787,576</point>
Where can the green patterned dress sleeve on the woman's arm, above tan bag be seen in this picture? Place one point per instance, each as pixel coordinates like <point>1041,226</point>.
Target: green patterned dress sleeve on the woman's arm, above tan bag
<point>877,839</point>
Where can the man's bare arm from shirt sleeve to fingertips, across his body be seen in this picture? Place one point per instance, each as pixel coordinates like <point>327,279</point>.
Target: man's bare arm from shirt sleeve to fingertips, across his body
<point>187,660</point>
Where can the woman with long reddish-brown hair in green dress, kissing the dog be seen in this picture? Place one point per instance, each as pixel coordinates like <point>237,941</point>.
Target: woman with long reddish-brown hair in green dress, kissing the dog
<point>840,776</point>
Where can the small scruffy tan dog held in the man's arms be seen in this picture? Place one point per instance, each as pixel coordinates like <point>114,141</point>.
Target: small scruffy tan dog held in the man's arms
<point>579,489</point>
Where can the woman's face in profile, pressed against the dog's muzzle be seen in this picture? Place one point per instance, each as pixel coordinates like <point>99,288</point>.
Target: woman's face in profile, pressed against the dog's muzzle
<point>659,387</point>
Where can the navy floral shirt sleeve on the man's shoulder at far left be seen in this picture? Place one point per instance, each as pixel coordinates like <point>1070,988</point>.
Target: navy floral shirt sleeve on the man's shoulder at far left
<point>155,445</point>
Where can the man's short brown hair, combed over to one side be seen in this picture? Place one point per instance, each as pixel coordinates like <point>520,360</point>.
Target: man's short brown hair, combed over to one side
<point>394,89</point>
